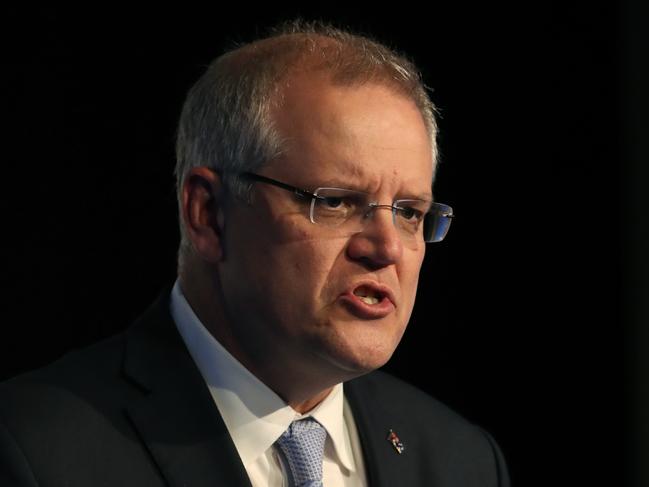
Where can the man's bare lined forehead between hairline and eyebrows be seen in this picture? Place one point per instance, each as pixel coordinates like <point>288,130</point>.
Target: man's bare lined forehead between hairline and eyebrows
<point>365,133</point>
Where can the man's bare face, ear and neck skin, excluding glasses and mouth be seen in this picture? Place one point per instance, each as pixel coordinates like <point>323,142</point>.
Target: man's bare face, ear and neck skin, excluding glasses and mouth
<point>267,282</point>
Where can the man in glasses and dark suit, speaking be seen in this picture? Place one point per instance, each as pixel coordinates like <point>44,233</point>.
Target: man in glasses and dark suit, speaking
<point>305,163</point>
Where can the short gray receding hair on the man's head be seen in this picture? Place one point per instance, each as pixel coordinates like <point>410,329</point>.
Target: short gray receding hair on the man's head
<point>226,121</point>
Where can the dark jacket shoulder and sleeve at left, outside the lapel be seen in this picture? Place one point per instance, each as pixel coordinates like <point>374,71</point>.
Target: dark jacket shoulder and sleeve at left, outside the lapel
<point>67,422</point>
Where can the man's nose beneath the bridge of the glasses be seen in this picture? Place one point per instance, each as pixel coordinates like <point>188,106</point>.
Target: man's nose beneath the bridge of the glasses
<point>379,244</point>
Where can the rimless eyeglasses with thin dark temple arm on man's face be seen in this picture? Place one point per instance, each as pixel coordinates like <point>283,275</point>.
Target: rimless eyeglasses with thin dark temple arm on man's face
<point>348,211</point>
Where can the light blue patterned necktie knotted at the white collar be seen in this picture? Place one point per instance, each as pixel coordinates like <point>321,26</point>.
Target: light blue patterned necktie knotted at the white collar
<point>301,448</point>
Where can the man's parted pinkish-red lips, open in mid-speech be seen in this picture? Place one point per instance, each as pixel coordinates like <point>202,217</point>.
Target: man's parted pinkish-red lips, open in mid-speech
<point>369,300</point>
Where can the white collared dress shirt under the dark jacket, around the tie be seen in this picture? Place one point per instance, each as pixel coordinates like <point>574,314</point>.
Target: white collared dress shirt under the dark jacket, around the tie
<point>256,417</point>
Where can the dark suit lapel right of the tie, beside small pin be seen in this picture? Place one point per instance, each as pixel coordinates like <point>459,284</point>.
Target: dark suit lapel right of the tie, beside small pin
<point>384,465</point>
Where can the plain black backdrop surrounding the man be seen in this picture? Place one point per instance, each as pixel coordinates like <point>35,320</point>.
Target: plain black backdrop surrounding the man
<point>529,314</point>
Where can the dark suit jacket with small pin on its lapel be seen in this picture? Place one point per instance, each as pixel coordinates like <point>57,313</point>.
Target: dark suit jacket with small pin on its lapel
<point>135,411</point>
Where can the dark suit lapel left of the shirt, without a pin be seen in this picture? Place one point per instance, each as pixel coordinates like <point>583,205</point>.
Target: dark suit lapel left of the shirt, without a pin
<point>176,416</point>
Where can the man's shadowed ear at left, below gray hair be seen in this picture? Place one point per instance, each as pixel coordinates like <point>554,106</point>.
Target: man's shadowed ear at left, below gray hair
<point>202,212</point>
